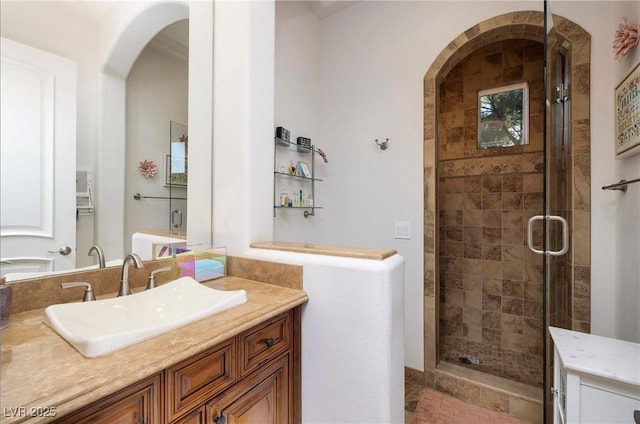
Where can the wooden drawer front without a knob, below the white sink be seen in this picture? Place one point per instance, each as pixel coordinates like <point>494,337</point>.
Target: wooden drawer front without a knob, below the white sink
<point>191,382</point>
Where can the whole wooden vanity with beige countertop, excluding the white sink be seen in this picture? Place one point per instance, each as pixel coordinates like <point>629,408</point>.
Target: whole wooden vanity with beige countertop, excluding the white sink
<point>242,364</point>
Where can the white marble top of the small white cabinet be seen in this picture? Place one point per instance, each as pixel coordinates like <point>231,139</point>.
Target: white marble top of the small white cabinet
<point>605,357</point>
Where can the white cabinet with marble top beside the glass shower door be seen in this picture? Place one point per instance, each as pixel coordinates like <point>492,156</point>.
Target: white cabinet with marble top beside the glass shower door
<point>596,379</point>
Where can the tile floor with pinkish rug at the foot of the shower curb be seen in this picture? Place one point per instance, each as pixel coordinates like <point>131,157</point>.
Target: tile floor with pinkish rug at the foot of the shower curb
<point>427,406</point>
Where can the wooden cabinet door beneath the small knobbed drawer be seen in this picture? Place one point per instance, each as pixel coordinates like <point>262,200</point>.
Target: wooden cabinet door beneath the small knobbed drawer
<point>262,398</point>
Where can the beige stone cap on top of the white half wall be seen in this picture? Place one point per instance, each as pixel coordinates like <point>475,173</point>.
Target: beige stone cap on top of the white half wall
<point>319,249</point>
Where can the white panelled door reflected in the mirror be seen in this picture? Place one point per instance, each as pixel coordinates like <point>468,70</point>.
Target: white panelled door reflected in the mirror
<point>38,160</point>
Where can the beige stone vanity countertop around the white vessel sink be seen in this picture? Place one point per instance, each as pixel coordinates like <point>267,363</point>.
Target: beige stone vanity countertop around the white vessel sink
<point>40,369</point>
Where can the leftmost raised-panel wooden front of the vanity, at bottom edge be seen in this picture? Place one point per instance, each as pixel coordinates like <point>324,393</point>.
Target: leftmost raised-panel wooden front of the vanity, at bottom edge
<point>139,403</point>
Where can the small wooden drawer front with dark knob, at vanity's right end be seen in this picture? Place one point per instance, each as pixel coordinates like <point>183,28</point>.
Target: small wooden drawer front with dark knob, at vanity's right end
<point>264,342</point>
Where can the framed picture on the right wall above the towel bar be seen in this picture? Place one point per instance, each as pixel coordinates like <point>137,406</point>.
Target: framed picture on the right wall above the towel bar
<point>627,107</point>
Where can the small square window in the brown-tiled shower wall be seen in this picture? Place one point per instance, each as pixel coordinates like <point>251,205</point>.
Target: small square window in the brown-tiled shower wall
<point>503,116</point>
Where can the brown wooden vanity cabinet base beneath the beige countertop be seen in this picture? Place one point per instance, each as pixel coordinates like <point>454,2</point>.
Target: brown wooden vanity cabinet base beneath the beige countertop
<point>250,378</point>
